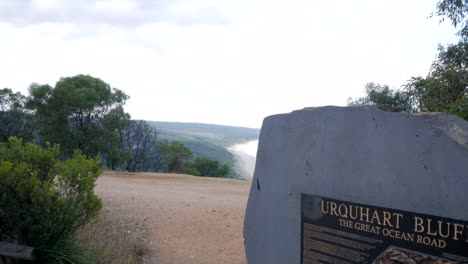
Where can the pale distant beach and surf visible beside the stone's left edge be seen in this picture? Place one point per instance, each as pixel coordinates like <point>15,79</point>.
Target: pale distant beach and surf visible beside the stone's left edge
<point>245,155</point>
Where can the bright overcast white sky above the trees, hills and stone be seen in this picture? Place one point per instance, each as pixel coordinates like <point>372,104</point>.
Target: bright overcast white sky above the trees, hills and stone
<point>228,62</point>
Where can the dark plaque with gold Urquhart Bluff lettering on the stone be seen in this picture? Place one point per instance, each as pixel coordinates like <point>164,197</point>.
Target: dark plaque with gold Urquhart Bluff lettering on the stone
<point>340,232</point>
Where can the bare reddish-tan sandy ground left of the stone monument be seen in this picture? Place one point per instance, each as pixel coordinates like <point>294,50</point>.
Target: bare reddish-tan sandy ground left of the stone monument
<point>186,219</point>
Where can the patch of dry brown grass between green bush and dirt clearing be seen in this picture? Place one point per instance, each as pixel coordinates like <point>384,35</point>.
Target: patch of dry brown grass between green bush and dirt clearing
<point>115,238</point>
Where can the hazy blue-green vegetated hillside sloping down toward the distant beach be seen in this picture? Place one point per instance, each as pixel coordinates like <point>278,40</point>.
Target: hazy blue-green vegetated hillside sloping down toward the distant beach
<point>206,139</point>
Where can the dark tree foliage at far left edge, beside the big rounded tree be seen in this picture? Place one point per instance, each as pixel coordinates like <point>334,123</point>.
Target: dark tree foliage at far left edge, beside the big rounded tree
<point>15,119</point>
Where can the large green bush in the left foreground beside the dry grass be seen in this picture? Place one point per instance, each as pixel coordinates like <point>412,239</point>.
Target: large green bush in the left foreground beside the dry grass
<point>44,201</point>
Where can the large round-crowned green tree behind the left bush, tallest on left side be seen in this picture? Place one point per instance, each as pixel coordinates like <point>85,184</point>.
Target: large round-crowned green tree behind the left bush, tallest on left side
<point>72,113</point>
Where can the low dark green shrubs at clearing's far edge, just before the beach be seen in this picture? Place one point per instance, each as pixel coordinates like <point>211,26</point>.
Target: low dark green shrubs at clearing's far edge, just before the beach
<point>207,167</point>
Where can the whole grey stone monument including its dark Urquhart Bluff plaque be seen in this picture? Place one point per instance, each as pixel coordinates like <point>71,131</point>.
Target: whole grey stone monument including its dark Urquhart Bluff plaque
<point>345,185</point>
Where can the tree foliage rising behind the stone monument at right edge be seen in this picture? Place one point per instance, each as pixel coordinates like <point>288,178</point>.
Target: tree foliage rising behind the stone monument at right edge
<point>445,88</point>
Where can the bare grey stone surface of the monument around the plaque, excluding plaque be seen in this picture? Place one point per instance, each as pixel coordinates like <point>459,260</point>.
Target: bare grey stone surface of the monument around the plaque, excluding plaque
<point>366,155</point>
